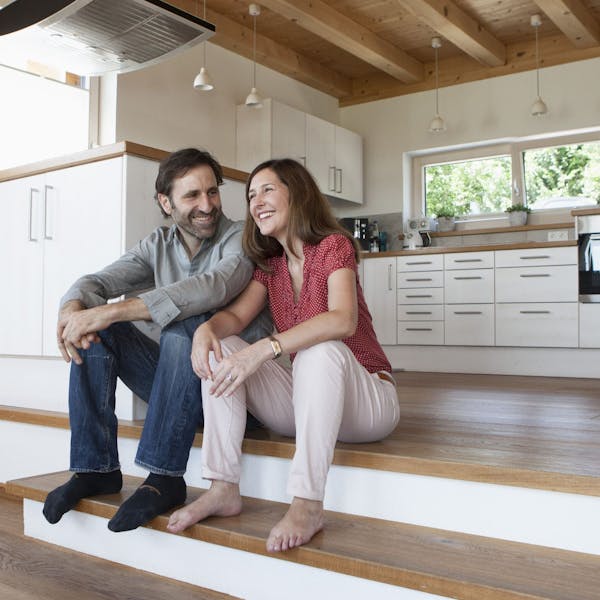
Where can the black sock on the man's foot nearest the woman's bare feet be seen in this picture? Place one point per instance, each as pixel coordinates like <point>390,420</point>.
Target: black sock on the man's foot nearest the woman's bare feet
<point>158,494</point>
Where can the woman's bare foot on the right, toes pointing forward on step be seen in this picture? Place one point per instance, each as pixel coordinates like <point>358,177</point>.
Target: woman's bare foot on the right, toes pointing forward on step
<point>303,519</point>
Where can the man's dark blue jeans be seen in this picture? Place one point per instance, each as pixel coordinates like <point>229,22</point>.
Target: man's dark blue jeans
<point>160,374</point>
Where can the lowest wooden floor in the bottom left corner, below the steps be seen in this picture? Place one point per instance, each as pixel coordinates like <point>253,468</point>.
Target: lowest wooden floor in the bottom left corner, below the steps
<point>33,570</point>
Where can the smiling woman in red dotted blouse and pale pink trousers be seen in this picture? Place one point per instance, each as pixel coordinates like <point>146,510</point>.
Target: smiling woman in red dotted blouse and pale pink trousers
<point>339,385</point>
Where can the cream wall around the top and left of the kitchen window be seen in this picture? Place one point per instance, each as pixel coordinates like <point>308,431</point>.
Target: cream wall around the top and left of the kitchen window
<point>493,109</point>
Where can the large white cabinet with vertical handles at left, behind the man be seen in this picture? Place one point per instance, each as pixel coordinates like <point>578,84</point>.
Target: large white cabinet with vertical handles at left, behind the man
<point>61,225</point>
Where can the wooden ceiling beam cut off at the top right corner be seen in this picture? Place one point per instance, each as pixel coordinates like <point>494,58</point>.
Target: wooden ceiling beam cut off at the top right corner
<point>574,20</point>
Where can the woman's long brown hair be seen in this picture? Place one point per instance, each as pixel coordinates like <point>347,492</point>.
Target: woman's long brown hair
<point>310,220</point>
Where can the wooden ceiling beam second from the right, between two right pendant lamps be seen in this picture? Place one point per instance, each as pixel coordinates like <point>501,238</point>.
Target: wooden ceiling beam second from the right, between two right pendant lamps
<point>459,28</point>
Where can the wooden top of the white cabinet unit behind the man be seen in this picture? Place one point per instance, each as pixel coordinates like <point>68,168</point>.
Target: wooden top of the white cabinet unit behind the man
<point>100,153</point>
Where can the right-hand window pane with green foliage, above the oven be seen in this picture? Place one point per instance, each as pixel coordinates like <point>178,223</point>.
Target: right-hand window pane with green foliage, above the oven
<point>562,176</point>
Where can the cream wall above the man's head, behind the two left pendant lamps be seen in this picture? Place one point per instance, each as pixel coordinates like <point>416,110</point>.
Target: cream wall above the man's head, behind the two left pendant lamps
<point>158,106</point>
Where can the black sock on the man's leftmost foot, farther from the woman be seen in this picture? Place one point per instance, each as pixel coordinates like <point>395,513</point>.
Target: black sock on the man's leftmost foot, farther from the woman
<point>81,485</point>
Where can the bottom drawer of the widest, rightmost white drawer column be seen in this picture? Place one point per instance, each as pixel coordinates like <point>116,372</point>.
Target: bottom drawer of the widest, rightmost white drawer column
<point>549,325</point>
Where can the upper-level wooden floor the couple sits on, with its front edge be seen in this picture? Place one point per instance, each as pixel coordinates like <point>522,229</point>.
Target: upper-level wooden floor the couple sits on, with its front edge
<point>535,432</point>
